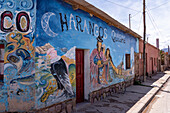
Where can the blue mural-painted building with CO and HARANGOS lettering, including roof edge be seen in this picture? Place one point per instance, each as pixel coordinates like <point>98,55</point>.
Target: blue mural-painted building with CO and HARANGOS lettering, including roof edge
<point>57,53</point>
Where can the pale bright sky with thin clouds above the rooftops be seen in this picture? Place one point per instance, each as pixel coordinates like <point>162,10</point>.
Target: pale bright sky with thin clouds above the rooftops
<point>157,17</point>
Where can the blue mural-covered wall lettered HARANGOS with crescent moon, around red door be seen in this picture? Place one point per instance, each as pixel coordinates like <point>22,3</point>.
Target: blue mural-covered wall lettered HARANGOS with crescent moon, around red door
<point>59,30</point>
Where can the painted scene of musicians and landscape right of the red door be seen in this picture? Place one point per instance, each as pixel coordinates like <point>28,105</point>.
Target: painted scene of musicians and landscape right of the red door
<point>103,70</point>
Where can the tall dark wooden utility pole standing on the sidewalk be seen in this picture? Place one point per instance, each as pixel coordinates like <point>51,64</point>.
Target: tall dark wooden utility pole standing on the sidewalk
<point>144,35</point>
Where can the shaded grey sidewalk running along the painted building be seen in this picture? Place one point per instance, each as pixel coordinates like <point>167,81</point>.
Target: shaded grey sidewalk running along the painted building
<point>121,103</point>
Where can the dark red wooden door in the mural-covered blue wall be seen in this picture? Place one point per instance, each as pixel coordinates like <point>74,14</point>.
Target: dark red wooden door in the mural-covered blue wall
<point>79,75</point>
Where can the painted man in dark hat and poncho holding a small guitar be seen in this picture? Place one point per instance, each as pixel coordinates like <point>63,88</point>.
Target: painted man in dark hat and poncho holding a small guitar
<point>98,64</point>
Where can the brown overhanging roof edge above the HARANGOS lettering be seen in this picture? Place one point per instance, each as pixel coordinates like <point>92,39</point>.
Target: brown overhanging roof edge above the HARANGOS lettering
<point>92,10</point>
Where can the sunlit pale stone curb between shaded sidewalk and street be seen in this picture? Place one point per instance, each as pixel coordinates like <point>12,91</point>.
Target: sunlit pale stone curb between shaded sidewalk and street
<point>144,101</point>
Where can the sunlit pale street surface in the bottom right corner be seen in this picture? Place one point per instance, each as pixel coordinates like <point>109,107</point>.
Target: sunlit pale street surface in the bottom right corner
<point>161,102</point>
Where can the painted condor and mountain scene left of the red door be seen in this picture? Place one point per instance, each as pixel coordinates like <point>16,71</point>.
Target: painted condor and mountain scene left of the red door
<point>52,74</point>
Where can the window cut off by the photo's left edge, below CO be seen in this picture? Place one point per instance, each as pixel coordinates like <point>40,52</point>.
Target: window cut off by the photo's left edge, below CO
<point>2,51</point>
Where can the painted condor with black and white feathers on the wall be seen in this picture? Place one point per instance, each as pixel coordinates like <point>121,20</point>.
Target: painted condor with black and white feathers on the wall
<point>60,73</point>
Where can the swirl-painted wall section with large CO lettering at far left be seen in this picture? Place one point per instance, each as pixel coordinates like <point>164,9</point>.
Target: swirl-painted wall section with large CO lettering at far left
<point>17,29</point>
